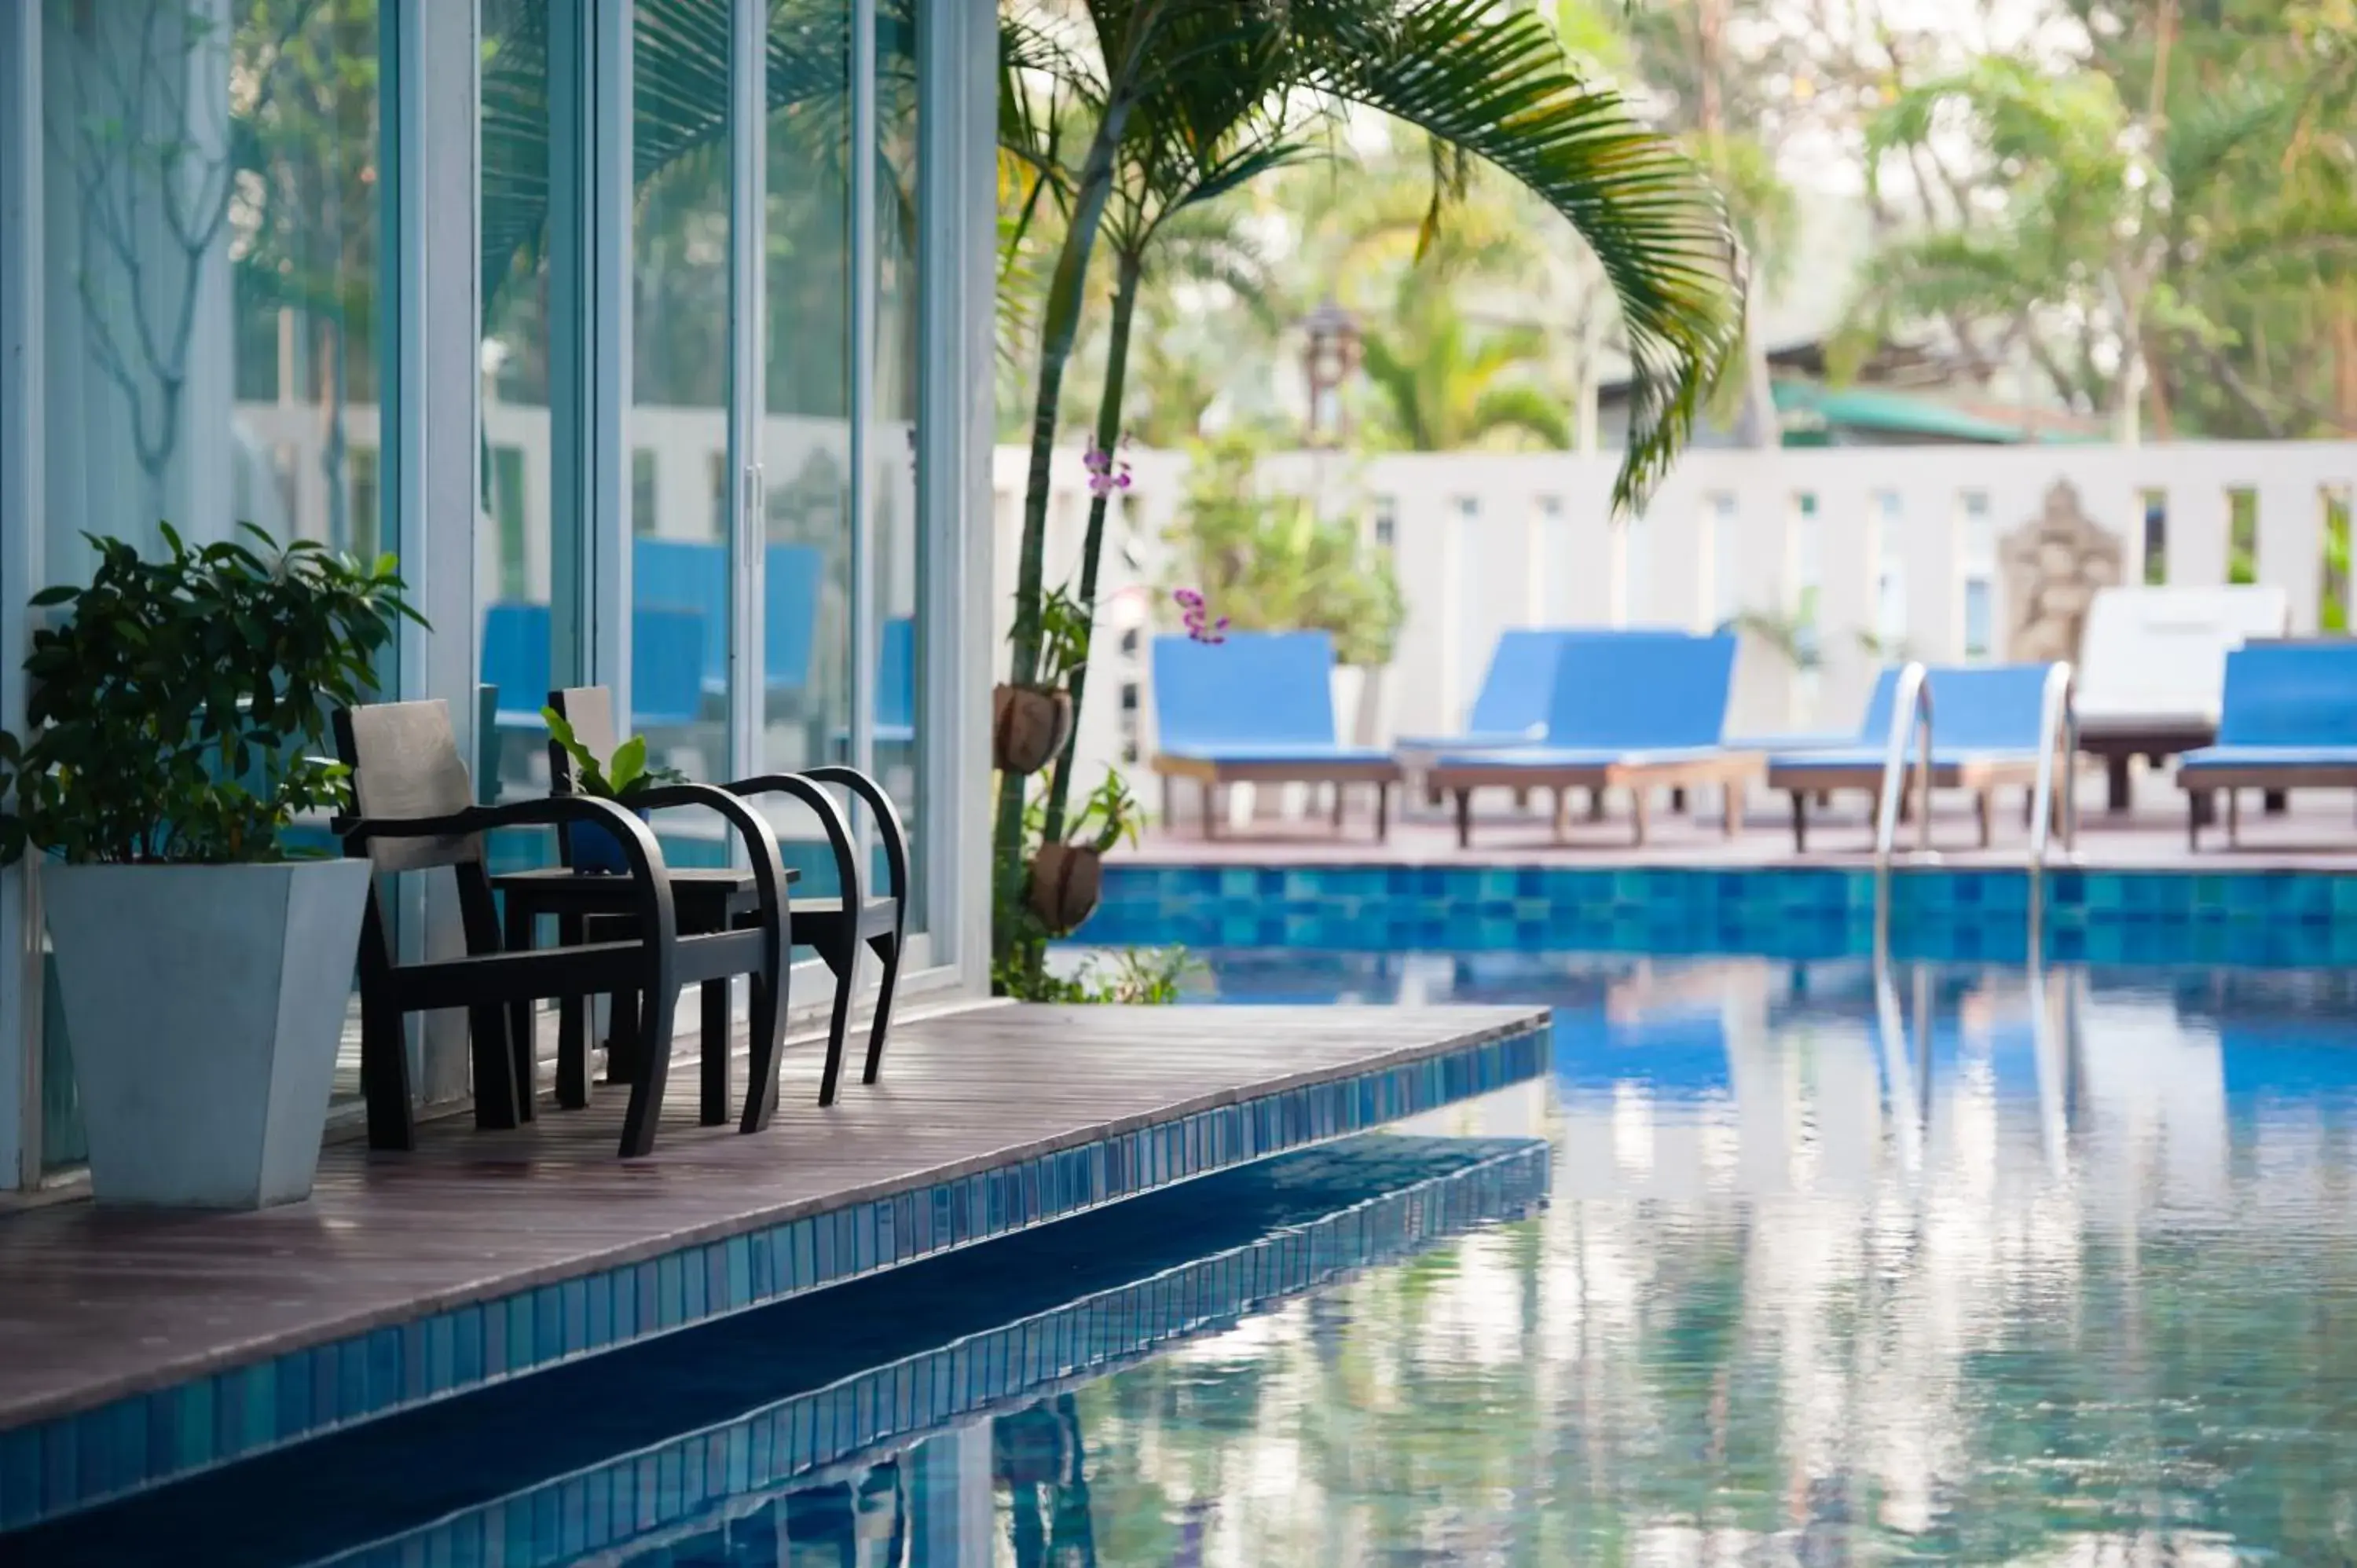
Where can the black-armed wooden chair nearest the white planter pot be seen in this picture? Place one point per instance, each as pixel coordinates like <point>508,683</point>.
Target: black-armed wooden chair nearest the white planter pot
<point>416,812</point>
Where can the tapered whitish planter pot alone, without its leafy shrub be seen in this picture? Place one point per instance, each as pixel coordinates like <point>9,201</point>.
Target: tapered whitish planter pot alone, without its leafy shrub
<point>206,1006</point>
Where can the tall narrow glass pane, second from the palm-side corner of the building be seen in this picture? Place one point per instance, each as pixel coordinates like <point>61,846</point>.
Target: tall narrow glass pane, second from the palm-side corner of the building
<point>807,428</point>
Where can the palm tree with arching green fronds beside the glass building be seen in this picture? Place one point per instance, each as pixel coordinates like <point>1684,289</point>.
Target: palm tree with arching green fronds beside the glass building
<point>1203,95</point>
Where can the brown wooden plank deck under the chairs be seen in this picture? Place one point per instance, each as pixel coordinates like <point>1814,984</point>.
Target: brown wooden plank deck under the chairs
<point>98,1305</point>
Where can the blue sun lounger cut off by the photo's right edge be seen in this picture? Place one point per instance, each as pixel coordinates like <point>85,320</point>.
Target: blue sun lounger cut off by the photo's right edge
<point>2290,723</point>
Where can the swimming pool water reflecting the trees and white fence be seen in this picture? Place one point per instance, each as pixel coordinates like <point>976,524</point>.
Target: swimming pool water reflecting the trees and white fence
<point>1842,1263</point>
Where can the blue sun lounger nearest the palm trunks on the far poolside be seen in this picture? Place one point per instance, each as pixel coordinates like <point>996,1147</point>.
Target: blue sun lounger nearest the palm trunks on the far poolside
<point>1257,709</point>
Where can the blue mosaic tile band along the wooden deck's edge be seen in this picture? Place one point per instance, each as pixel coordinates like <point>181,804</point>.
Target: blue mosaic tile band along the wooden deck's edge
<point>145,1439</point>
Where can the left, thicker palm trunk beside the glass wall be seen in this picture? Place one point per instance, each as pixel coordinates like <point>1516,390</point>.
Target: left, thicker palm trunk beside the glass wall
<point>1057,336</point>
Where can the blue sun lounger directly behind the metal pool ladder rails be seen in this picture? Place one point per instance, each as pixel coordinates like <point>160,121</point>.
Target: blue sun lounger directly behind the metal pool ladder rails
<point>1986,737</point>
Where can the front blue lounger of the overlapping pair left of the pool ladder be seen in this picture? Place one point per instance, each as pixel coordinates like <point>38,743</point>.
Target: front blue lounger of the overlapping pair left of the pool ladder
<point>1630,711</point>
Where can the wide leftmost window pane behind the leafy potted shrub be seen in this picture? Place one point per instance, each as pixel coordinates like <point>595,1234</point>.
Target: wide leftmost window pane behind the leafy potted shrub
<point>211,213</point>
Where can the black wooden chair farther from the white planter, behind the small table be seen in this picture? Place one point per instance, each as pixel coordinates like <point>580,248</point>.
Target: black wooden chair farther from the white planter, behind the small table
<point>833,928</point>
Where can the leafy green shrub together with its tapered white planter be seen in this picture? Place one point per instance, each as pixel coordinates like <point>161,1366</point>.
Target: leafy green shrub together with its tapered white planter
<point>202,961</point>
